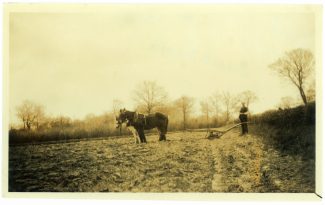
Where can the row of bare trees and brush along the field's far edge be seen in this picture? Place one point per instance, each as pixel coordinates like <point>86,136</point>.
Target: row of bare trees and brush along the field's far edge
<point>149,97</point>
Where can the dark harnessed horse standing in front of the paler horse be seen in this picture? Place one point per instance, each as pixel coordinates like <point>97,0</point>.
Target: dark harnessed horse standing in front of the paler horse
<point>141,122</point>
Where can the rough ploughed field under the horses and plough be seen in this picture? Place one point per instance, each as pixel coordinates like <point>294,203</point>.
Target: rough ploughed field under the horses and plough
<point>186,162</point>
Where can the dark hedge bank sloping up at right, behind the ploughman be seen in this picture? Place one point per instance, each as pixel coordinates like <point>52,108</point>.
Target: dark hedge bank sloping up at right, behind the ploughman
<point>290,130</point>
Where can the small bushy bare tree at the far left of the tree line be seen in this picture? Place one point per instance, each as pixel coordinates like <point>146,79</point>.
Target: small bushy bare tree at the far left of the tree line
<point>30,113</point>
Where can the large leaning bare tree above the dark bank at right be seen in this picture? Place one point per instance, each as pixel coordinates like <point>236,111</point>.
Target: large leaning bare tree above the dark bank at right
<point>296,66</point>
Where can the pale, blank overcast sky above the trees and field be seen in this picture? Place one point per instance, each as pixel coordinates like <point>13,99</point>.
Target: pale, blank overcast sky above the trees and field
<point>76,63</point>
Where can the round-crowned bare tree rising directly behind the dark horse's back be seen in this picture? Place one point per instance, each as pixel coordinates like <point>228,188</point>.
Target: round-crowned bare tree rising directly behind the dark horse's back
<point>148,96</point>
